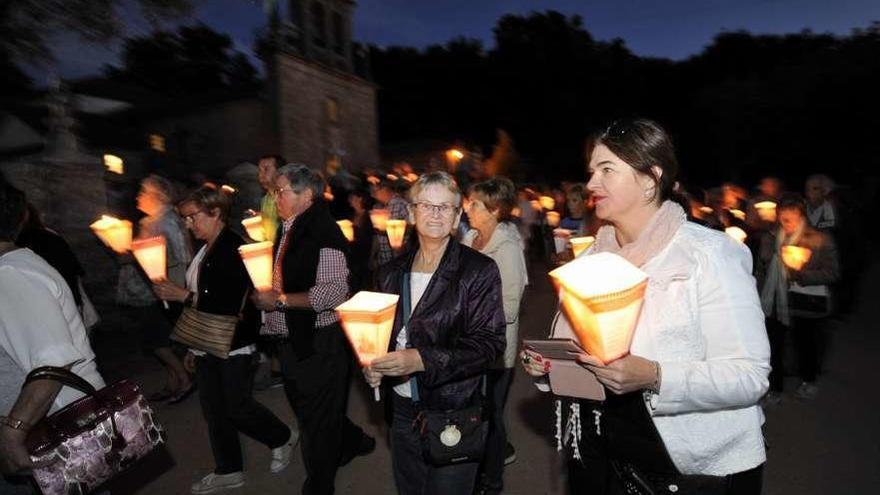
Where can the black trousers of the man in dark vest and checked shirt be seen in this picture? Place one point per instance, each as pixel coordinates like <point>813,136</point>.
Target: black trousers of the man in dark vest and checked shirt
<point>317,389</point>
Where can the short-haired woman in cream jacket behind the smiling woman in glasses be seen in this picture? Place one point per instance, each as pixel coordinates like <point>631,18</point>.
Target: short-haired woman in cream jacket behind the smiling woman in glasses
<point>489,204</point>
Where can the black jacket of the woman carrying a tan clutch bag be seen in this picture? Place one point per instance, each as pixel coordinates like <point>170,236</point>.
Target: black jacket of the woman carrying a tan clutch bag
<point>224,283</point>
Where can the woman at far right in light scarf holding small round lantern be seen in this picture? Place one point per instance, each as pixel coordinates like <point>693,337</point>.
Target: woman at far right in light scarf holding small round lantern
<point>797,298</point>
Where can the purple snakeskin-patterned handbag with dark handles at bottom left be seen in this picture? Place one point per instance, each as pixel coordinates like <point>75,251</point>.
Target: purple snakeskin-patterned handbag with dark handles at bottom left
<point>92,439</point>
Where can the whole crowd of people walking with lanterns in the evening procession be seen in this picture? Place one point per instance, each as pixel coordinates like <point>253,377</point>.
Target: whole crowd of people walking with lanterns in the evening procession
<point>683,408</point>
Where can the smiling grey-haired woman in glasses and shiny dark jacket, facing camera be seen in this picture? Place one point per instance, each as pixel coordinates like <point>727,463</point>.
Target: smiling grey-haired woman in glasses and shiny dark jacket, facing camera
<point>453,334</point>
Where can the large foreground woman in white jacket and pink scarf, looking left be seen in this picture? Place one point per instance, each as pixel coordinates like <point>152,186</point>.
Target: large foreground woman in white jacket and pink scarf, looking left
<point>684,401</point>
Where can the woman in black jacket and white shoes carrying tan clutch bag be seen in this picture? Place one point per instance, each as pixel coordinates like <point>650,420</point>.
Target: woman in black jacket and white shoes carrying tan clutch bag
<point>217,283</point>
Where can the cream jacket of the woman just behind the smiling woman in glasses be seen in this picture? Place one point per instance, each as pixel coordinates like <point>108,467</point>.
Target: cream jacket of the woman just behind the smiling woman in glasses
<point>505,248</point>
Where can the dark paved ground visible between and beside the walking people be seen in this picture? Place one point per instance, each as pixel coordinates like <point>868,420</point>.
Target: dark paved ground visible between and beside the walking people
<point>829,446</point>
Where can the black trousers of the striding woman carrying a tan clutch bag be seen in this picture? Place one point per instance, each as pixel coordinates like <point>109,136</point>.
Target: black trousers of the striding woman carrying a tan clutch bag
<point>225,388</point>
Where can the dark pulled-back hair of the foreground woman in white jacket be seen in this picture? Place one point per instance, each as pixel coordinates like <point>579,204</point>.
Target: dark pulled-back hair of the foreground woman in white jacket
<point>642,144</point>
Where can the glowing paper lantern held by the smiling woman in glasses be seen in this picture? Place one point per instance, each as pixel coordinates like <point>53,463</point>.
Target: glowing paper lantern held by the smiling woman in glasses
<point>368,318</point>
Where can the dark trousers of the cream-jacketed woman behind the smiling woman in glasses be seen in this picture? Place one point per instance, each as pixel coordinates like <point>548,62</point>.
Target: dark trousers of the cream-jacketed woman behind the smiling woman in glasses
<point>498,385</point>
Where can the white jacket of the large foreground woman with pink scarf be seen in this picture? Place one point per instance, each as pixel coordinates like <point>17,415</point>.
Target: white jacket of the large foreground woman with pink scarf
<point>702,321</point>
